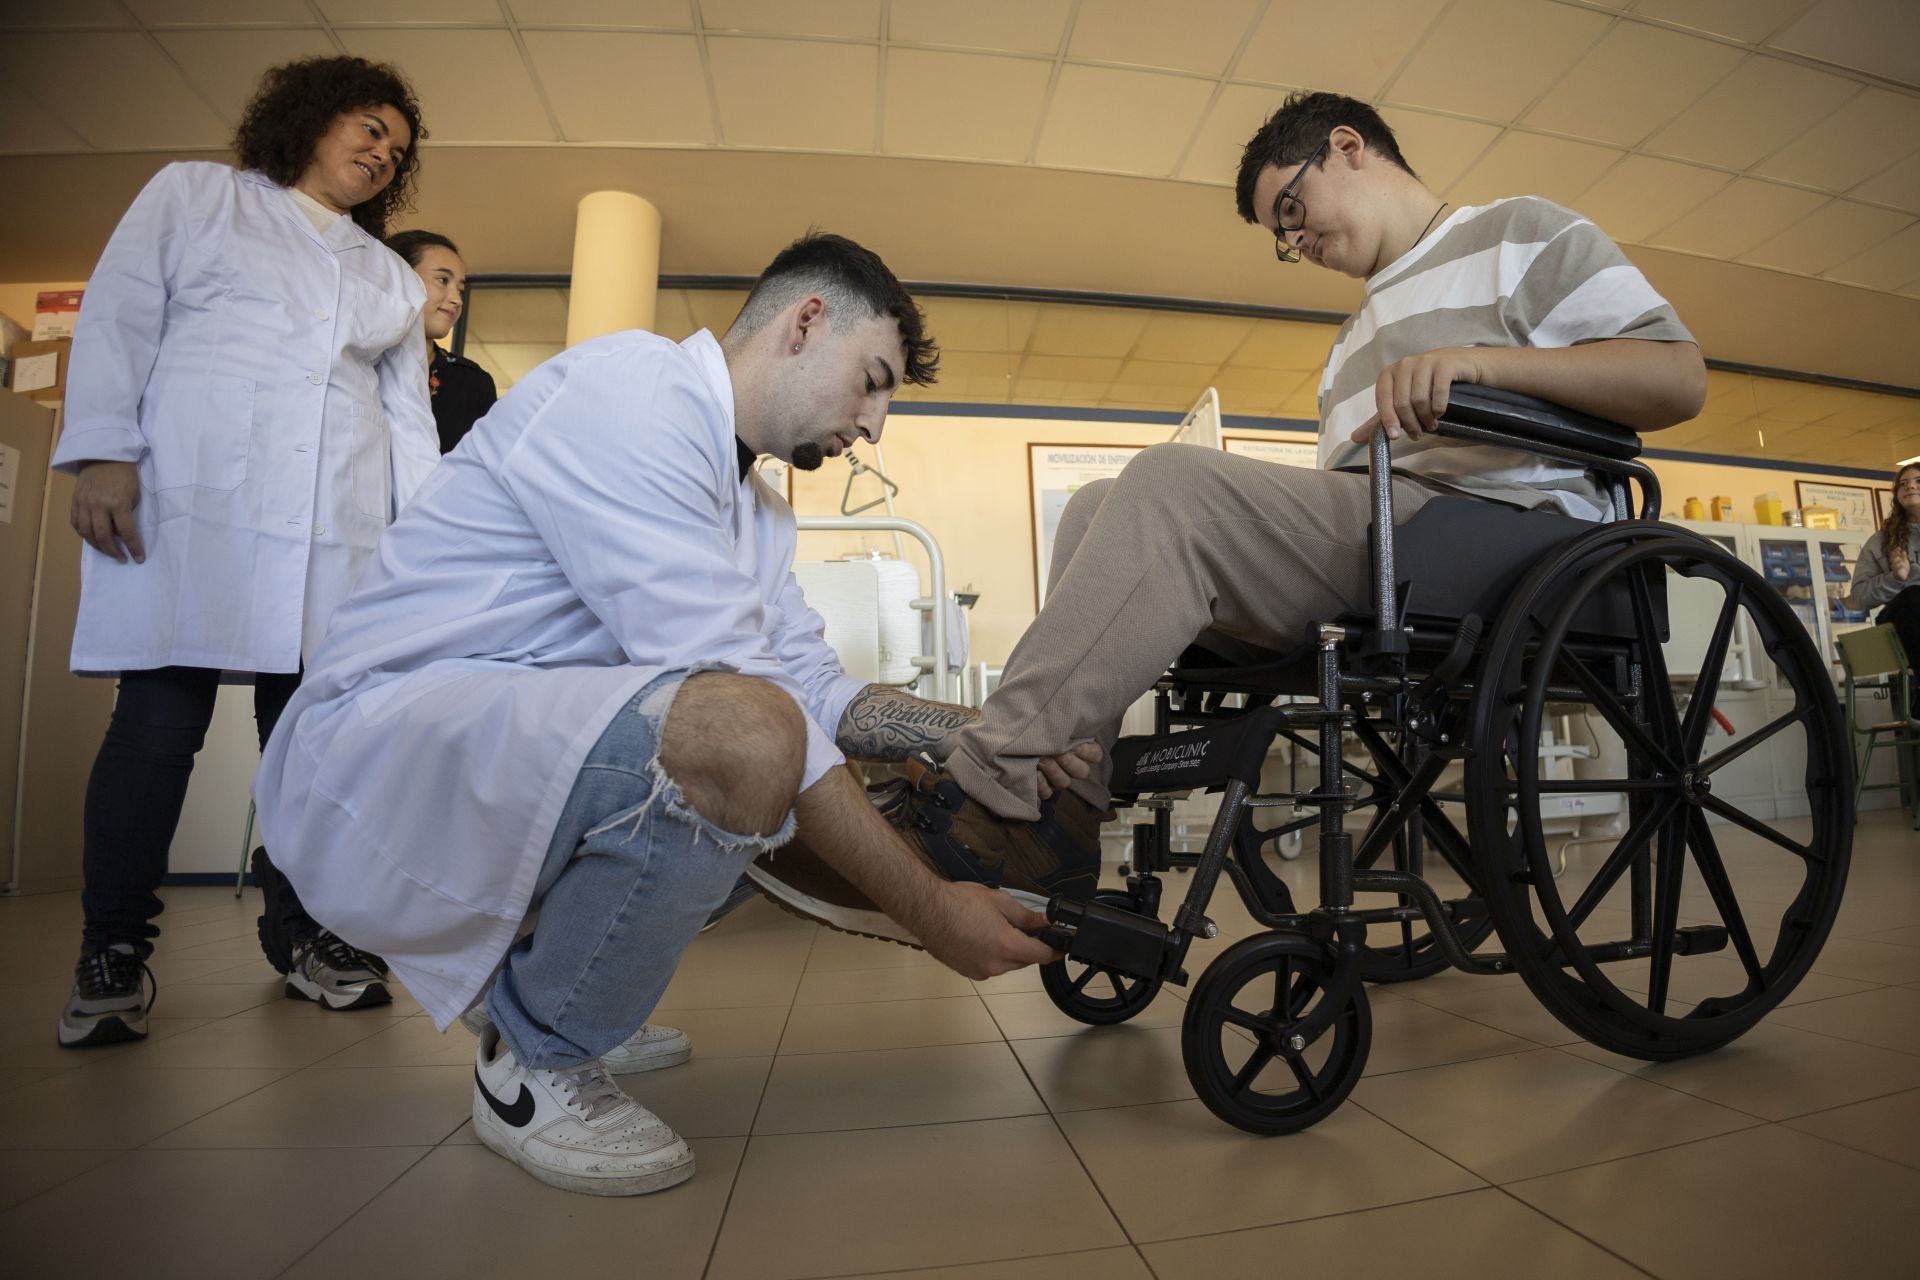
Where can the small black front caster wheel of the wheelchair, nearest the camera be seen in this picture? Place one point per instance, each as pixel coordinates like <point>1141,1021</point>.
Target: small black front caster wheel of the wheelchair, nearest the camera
<point>1262,1047</point>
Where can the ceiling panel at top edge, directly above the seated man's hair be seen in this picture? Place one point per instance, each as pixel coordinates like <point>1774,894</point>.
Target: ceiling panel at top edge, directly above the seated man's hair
<point>1376,37</point>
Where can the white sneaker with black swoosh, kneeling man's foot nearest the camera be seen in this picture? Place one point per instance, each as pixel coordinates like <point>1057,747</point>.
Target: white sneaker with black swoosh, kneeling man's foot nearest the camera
<point>573,1129</point>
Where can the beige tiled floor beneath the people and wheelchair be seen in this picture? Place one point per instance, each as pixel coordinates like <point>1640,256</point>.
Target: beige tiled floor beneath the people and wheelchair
<point>861,1112</point>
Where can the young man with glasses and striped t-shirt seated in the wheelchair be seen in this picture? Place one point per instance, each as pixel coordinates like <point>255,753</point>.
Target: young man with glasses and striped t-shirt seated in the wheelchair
<point>1193,542</point>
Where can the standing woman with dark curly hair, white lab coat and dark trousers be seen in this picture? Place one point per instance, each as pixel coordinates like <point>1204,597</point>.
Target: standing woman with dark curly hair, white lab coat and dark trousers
<point>247,412</point>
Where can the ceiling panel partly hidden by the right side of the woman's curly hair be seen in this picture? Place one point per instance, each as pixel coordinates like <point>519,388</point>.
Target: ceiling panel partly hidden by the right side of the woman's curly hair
<point>473,85</point>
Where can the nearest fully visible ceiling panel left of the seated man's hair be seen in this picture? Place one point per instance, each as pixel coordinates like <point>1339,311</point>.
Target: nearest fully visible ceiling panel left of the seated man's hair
<point>1120,122</point>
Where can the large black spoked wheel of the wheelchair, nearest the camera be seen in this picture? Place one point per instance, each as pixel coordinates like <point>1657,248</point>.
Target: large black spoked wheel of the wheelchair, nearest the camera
<point>1687,932</point>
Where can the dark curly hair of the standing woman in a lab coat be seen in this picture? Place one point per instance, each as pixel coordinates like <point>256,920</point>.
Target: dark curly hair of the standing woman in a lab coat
<point>297,105</point>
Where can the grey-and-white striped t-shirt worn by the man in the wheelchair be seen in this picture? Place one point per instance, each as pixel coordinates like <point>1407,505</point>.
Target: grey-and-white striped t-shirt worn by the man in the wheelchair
<point>1516,273</point>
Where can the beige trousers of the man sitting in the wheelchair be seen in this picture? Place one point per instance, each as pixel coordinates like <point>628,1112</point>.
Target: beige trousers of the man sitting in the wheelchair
<point>1186,544</point>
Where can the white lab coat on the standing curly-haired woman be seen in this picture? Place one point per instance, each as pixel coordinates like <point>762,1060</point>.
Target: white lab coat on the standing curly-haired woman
<point>270,381</point>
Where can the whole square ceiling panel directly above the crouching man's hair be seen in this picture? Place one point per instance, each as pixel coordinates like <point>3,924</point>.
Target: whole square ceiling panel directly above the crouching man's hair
<point>777,93</point>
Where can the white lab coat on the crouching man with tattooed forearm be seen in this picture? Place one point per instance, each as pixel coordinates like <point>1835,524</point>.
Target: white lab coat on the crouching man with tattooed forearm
<point>592,533</point>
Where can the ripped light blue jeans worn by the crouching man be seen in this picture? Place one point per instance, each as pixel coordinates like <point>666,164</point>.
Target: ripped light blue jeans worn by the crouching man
<point>631,878</point>
